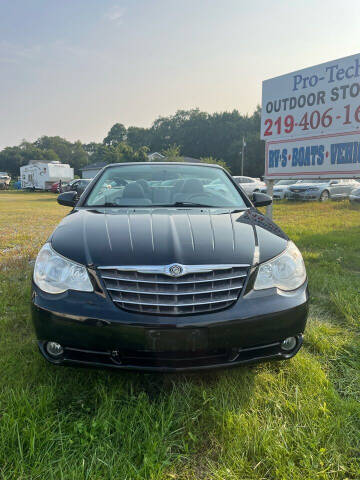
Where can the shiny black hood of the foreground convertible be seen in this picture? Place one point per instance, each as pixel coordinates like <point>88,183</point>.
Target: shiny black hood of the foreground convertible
<point>160,236</point>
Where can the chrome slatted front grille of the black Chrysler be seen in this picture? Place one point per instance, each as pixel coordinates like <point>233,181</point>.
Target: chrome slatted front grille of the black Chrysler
<point>201,288</point>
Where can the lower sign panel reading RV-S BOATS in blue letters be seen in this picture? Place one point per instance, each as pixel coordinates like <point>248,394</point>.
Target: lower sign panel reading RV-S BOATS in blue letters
<point>332,156</point>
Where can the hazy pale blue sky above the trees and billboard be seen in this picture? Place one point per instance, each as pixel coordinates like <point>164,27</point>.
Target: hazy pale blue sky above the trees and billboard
<point>75,67</point>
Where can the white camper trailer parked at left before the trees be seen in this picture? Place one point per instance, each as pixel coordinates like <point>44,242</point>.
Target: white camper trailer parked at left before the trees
<point>41,175</point>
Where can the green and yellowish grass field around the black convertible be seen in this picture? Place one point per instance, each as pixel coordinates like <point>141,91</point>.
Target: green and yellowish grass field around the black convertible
<point>291,420</point>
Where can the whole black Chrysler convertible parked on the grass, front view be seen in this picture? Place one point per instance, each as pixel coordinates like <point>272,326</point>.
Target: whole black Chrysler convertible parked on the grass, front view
<point>167,267</point>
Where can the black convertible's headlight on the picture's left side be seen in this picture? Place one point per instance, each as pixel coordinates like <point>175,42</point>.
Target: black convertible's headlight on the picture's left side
<point>56,274</point>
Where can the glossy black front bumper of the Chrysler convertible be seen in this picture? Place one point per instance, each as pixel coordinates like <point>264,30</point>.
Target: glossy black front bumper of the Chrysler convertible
<point>93,331</point>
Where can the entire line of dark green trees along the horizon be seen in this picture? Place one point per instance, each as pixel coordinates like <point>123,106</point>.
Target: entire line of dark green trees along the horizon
<point>214,138</point>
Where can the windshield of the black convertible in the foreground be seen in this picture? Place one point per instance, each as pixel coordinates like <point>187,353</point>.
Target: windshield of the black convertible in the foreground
<point>164,185</point>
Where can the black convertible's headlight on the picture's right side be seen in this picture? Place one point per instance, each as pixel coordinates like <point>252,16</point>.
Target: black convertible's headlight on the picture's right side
<point>286,272</point>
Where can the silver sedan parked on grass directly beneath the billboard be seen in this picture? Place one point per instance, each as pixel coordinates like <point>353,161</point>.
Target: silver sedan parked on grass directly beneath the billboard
<point>321,190</point>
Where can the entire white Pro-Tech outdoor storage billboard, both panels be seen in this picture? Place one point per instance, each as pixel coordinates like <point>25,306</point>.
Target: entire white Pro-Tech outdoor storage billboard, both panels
<point>314,108</point>
